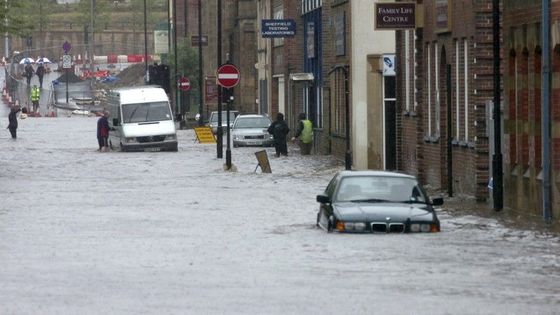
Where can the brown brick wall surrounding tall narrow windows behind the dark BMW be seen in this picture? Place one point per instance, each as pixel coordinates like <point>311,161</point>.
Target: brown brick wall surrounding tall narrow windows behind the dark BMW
<point>426,154</point>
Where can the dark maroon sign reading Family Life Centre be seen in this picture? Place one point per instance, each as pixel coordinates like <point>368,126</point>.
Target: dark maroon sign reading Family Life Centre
<point>395,16</point>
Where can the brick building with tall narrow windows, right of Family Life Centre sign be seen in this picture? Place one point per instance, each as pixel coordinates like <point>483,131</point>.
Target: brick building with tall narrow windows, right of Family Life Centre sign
<point>445,88</point>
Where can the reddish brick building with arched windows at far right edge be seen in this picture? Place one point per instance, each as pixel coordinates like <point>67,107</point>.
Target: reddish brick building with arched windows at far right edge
<point>523,107</point>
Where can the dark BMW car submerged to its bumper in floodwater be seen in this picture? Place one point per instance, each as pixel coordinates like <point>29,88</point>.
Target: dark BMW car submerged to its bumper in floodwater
<point>376,202</point>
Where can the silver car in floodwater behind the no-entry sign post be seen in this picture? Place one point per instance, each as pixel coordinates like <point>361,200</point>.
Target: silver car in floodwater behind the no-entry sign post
<point>251,130</point>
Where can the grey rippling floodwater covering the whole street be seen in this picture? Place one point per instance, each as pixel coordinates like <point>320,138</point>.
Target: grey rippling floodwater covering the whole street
<point>173,233</point>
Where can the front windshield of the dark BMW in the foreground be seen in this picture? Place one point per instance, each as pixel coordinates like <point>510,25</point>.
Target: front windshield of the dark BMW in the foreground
<point>379,189</point>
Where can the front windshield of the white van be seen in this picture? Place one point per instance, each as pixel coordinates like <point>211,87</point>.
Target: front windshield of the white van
<point>146,112</point>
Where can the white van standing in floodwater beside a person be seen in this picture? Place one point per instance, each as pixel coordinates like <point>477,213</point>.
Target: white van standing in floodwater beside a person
<point>142,120</point>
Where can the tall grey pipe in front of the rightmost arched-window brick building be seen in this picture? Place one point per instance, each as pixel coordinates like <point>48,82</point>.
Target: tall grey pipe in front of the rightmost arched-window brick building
<point>546,122</point>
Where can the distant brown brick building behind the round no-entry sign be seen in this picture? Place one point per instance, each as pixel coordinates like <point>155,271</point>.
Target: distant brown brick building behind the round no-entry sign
<point>238,44</point>
